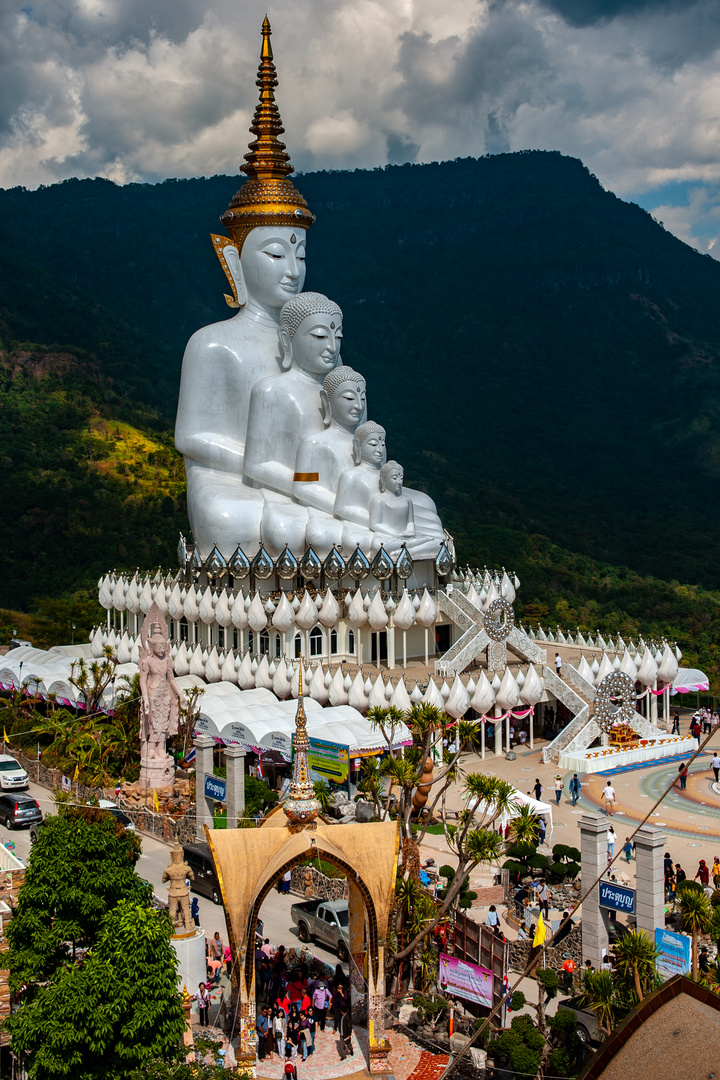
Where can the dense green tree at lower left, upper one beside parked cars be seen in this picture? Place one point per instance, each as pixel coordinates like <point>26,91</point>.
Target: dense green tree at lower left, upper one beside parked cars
<point>80,869</point>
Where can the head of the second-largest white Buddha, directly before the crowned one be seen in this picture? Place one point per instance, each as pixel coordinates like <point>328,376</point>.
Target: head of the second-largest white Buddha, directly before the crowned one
<point>310,334</point>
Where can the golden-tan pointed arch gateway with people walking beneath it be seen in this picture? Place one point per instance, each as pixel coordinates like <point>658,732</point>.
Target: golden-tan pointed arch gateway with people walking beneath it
<point>249,862</point>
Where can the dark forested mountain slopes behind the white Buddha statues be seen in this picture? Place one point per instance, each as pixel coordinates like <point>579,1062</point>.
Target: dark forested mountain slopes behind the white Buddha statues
<point>546,359</point>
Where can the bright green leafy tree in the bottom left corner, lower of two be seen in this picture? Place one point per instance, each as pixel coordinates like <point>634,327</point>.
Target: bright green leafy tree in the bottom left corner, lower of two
<point>110,1015</point>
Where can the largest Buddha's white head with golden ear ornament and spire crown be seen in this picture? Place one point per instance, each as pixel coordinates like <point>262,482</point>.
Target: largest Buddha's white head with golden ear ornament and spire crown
<point>268,218</point>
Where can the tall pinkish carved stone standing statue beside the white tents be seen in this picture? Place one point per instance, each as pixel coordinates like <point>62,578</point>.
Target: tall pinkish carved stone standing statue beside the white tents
<point>159,707</point>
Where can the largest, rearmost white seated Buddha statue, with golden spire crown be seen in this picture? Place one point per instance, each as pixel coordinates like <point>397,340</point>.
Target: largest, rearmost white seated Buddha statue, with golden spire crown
<point>264,260</point>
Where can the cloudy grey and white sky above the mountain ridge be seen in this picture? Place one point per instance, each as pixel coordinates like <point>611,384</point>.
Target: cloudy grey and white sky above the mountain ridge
<point>143,90</point>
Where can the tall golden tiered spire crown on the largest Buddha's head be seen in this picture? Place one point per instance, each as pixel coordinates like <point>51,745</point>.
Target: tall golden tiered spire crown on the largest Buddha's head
<point>267,197</point>
